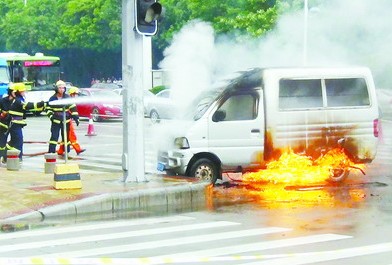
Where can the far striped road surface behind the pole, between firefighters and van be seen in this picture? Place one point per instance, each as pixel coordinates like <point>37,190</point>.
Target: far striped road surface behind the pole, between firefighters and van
<point>103,151</point>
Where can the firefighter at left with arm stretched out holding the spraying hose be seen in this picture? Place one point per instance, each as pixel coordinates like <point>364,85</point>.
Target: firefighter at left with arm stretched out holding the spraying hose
<point>17,112</point>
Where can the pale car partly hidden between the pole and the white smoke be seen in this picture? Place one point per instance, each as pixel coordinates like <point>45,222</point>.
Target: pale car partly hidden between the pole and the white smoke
<point>159,106</point>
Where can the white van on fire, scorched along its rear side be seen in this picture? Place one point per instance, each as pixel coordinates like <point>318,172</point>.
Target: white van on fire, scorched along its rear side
<point>249,120</point>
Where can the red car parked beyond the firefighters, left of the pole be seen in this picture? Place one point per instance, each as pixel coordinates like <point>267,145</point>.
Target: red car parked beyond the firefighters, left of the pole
<point>101,104</point>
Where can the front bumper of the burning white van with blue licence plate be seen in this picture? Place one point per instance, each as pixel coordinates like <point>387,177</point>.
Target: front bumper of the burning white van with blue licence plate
<point>175,161</point>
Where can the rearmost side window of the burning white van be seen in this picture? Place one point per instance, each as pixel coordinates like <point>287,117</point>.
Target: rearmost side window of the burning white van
<point>347,92</point>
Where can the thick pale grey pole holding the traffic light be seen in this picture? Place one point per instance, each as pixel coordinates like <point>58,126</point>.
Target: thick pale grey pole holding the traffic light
<point>133,111</point>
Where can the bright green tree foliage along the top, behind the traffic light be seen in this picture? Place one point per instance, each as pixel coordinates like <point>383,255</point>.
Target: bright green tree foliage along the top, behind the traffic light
<point>96,24</point>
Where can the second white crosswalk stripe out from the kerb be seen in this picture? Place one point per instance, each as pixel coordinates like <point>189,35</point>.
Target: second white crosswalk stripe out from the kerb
<point>111,236</point>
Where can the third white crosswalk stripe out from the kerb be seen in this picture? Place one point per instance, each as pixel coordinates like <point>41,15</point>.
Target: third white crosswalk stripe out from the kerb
<point>169,242</point>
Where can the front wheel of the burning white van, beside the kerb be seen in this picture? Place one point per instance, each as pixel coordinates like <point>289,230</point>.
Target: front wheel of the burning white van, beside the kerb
<point>205,170</point>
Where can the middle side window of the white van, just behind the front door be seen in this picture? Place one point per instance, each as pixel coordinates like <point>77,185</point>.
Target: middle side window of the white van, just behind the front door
<point>300,94</point>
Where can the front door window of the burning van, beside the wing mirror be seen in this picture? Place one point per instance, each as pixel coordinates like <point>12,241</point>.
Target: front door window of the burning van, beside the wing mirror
<point>239,107</point>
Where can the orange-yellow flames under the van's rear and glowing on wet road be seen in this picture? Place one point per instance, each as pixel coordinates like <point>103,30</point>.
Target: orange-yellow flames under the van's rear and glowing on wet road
<point>296,180</point>
